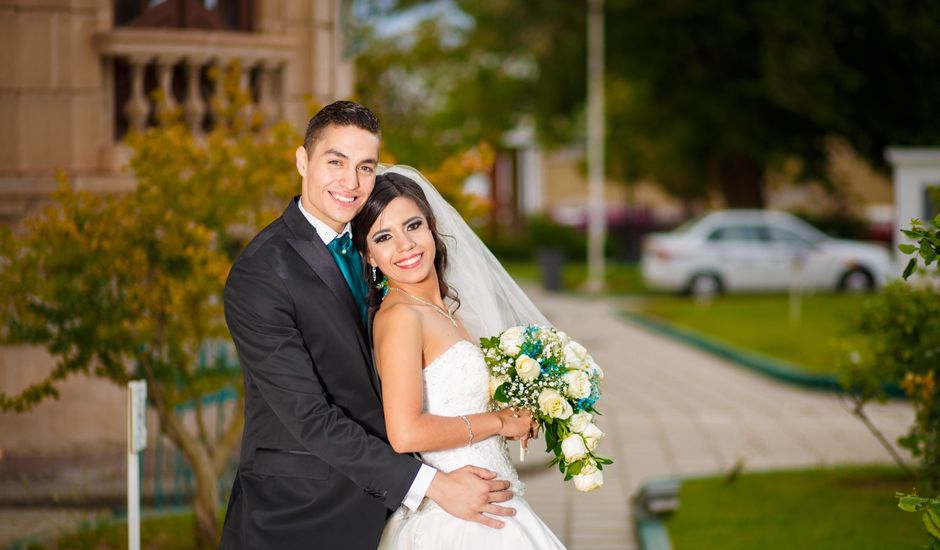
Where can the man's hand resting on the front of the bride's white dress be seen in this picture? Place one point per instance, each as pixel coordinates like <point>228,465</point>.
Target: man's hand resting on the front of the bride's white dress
<point>469,492</point>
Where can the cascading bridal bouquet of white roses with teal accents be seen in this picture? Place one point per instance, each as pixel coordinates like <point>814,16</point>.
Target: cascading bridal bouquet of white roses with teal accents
<point>542,370</point>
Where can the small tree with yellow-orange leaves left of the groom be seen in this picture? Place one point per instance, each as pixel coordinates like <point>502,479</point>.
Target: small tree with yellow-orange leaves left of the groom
<point>129,285</point>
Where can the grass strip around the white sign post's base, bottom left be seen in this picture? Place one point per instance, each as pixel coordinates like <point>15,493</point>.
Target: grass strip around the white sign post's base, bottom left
<point>163,532</point>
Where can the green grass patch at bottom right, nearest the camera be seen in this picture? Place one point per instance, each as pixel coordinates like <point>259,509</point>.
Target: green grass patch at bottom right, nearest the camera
<point>814,509</point>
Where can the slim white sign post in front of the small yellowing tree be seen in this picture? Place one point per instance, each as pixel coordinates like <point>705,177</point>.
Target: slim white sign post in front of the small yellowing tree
<point>136,441</point>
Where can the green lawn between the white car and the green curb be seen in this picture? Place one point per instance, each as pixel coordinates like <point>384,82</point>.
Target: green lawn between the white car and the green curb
<point>761,324</point>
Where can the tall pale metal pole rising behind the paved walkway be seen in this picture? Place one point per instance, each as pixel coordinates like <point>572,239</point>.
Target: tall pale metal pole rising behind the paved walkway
<point>597,218</point>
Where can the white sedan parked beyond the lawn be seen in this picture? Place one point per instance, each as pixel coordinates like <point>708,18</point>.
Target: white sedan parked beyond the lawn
<point>760,250</point>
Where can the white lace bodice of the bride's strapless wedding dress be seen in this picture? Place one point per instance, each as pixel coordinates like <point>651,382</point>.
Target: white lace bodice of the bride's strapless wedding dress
<point>457,382</point>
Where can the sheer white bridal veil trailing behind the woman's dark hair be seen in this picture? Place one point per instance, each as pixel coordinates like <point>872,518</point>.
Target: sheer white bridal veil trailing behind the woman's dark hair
<point>490,301</point>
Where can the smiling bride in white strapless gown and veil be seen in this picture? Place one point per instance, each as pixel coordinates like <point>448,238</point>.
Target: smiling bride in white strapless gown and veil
<point>435,385</point>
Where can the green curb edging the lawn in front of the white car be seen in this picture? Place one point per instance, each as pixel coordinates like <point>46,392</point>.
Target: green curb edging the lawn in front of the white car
<point>774,368</point>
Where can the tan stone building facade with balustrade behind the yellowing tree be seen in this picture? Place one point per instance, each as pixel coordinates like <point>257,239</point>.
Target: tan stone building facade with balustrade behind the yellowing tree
<point>75,75</point>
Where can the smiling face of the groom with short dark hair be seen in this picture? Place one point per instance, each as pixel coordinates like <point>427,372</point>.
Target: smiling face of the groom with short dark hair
<point>338,174</point>
